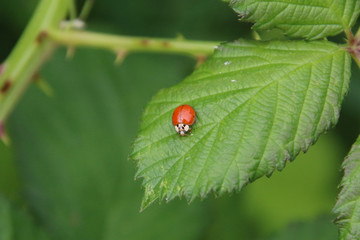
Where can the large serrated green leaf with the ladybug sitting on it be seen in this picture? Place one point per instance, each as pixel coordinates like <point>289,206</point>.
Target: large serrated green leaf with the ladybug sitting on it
<point>258,104</point>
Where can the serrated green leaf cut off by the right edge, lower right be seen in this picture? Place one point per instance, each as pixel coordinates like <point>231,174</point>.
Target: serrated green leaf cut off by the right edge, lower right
<point>347,207</point>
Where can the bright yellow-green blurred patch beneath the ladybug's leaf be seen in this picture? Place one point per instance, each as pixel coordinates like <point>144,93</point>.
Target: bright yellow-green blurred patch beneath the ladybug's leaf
<point>288,196</point>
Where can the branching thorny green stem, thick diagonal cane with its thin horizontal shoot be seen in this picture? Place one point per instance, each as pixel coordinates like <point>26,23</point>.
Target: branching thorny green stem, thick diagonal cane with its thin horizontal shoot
<point>43,34</point>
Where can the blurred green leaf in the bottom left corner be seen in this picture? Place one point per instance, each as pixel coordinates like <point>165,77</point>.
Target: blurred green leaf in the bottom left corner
<point>16,224</point>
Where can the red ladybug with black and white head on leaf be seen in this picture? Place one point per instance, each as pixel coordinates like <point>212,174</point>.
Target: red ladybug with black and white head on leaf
<point>183,118</point>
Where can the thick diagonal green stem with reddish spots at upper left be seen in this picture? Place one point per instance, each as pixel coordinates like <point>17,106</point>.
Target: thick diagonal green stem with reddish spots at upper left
<point>29,53</point>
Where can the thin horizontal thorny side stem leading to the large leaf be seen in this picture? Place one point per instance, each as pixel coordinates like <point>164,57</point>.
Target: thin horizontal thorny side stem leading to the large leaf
<point>131,44</point>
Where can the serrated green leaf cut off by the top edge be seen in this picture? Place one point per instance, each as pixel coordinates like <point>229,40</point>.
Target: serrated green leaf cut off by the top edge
<point>310,19</point>
